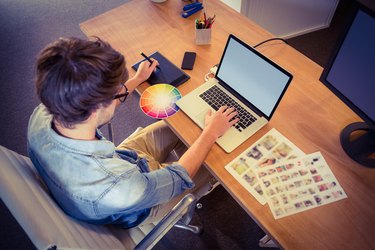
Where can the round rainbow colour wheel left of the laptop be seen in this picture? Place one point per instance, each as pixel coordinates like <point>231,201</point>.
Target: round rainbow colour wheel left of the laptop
<point>159,101</point>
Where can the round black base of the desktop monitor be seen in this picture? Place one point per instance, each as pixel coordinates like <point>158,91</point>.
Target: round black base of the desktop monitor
<point>362,148</point>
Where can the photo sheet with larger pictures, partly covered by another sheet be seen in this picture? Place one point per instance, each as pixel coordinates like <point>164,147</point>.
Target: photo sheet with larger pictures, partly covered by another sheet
<point>272,148</point>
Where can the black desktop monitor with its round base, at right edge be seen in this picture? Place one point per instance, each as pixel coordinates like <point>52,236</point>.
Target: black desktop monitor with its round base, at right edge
<point>350,74</point>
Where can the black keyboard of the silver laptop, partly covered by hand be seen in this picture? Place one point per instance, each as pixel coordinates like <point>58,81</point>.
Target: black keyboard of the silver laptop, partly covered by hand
<point>216,98</point>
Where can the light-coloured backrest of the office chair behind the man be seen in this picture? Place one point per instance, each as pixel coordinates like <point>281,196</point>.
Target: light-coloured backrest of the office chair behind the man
<point>45,223</point>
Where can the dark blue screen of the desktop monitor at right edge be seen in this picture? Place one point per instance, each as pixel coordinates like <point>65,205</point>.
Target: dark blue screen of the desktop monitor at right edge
<point>353,70</point>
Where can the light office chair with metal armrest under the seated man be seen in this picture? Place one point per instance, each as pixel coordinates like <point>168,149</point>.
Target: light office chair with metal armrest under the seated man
<point>48,227</point>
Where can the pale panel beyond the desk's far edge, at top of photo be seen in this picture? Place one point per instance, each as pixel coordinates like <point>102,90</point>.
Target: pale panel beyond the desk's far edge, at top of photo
<point>287,18</point>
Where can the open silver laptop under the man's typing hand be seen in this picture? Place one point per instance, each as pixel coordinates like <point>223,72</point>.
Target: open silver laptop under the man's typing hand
<point>245,80</point>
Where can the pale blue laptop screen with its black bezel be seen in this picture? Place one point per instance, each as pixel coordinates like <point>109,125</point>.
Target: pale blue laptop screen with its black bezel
<point>253,76</point>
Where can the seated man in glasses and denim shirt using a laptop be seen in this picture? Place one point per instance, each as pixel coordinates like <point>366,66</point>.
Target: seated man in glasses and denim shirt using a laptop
<point>80,83</point>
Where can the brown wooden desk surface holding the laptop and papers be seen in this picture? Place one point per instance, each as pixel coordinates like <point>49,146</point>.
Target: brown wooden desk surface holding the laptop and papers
<point>350,223</point>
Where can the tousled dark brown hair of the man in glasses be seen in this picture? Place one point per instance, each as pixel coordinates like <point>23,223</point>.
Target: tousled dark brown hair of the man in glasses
<point>75,77</point>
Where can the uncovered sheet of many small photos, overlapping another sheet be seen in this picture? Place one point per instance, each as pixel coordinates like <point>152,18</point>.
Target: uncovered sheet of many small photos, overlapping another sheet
<point>298,185</point>
